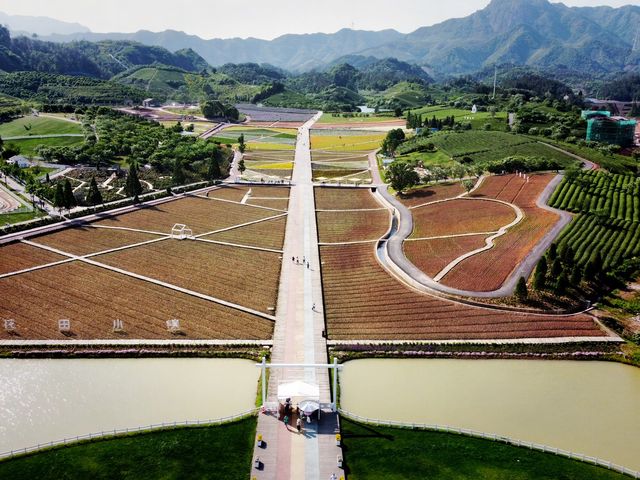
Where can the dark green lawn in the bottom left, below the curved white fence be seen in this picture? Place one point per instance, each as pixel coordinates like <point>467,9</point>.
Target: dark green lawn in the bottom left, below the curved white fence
<point>204,453</point>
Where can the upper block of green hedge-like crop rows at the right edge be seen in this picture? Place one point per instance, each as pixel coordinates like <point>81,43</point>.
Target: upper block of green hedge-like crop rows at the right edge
<point>617,196</point>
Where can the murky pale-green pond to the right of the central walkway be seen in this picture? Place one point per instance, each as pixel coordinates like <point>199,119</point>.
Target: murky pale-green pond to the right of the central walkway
<point>585,407</point>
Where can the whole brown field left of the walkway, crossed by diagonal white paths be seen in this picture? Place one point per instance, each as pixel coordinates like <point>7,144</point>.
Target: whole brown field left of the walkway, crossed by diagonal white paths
<point>156,281</point>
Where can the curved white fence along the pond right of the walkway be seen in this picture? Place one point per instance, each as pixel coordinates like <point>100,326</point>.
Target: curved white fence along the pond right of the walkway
<point>498,438</point>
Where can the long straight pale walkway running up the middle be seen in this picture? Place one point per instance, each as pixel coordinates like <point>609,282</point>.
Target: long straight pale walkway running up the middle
<point>298,338</point>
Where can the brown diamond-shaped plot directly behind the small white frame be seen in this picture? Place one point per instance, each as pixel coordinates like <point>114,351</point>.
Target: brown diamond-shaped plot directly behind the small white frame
<point>200,214</point>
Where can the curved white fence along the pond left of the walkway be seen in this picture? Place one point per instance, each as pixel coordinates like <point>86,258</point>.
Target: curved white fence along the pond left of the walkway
<point>125,431</point>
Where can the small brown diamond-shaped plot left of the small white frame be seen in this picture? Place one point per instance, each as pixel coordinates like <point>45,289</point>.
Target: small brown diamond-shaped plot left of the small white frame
<point>85,240</point>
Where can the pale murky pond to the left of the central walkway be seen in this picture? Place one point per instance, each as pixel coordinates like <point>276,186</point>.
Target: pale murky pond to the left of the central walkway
<point>44,400</point>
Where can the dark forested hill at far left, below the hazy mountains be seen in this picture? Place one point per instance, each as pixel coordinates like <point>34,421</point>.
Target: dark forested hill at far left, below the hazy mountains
<point>98,60</point>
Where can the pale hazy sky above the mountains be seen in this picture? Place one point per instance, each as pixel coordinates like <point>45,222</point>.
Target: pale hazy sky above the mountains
<point>255,18</point>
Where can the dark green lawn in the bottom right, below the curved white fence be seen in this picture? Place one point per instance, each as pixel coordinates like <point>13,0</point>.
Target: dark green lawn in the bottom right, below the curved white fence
<point>392,454</point>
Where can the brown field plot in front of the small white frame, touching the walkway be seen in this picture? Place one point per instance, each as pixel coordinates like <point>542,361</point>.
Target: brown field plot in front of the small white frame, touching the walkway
<point>245,277</point>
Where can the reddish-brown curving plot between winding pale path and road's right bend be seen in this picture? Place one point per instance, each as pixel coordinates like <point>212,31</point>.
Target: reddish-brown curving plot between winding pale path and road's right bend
<point>488,270</point>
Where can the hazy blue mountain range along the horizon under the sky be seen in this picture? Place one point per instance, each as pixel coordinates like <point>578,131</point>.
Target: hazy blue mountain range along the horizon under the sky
<point>525,32</point>
